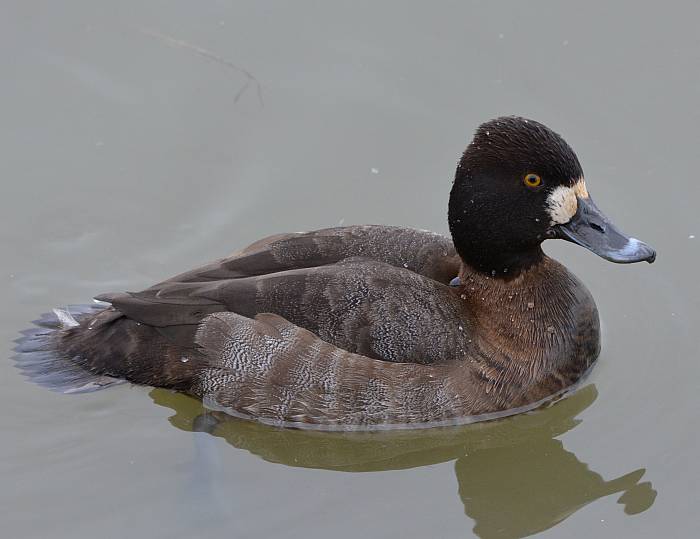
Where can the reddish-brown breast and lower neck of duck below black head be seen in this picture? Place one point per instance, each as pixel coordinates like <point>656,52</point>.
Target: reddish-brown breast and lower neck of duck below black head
<point>543,320</point>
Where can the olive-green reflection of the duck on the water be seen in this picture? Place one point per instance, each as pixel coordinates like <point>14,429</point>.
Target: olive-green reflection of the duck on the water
<point>515,477</point>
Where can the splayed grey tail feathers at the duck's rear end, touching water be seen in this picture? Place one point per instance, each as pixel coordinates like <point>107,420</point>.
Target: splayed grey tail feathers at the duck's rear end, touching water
<point>40,359</point>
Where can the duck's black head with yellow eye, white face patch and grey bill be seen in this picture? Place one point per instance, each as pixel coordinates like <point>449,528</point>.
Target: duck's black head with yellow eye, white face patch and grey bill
<point>519,183</point>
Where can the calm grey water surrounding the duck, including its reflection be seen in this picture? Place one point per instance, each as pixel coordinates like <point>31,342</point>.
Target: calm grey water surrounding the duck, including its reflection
<point>139,140</point>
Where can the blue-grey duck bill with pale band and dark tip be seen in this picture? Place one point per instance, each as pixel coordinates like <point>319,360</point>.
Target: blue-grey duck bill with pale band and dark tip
<point>590,228</point>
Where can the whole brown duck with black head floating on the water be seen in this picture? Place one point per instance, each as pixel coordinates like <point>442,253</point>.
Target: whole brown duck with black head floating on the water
<point>370,327</point>
